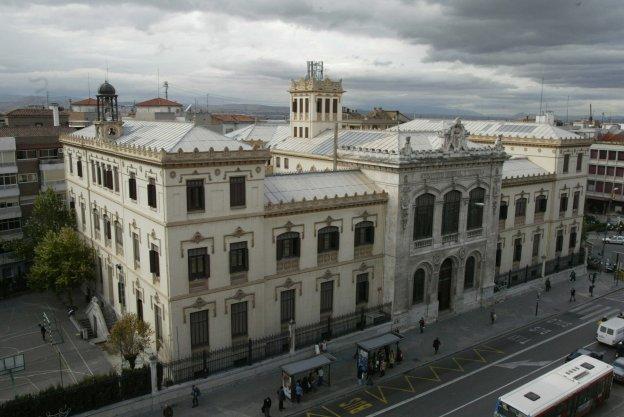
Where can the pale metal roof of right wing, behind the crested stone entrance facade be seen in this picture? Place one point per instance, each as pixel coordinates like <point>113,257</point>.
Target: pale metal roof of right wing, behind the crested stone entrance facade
<point>494,128</point>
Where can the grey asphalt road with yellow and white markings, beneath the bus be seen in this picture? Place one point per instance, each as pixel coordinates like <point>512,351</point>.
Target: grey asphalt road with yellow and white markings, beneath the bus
<point>467,383</point>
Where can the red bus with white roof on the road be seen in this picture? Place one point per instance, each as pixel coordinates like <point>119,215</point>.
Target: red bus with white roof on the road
<point>573,389</point>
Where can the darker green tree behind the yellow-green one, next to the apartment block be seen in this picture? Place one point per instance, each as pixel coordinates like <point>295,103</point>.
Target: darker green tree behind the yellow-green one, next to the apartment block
<point>49,213</point>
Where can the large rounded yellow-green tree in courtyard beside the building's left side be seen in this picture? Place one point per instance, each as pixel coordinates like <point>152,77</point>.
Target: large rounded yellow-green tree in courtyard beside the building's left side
<point>62,263</point>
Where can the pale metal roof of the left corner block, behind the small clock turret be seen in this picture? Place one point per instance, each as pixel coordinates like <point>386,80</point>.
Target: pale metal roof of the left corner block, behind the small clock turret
<point>169,136</point>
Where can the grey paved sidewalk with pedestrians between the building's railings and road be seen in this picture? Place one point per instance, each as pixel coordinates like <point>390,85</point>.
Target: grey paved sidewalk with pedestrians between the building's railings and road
<point>244,397</point>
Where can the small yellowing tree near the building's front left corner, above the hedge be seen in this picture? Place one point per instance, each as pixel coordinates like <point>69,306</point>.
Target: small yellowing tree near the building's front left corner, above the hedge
<point>129,337</point>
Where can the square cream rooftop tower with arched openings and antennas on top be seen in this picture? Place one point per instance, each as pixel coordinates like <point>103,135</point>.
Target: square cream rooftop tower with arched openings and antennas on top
<point>315,102</point>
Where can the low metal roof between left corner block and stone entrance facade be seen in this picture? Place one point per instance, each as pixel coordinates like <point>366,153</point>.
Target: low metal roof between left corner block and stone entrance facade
<point>287,188</point>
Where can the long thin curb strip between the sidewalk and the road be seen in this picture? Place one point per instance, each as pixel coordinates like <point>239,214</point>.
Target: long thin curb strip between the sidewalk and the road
<point>348,390</point>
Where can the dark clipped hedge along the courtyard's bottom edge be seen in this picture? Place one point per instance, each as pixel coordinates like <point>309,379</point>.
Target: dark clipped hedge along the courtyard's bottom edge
<point>89,394</point>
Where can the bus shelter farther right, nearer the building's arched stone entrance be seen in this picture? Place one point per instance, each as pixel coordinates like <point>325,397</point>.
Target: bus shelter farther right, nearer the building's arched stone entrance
<point>371,351</point>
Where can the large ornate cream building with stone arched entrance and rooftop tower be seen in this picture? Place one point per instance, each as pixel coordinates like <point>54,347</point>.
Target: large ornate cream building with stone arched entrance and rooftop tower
<point>193,236</point>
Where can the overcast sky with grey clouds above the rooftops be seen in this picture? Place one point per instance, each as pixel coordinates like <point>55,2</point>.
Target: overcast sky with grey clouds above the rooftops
<point>487,56</point>
